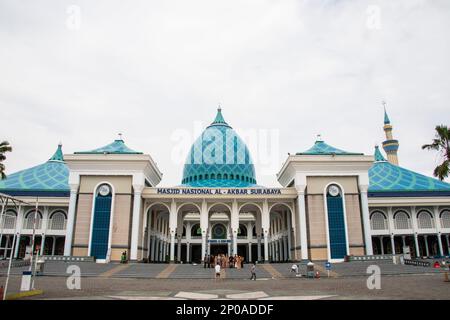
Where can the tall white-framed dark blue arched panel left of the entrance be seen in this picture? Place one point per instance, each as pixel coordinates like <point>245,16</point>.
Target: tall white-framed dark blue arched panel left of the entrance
<point>102,217</point>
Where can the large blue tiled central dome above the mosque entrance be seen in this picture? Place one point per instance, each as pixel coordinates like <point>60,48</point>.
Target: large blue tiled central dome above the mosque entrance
<point>219,158</point>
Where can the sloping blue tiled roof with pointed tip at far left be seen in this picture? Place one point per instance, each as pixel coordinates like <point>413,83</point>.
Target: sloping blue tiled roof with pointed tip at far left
<point>50,177</point>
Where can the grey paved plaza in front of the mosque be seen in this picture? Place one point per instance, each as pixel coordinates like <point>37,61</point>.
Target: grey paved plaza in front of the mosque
<point>274,281</point>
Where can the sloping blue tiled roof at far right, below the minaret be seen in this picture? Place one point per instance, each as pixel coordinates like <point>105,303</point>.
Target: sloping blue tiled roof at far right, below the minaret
<point>390,179</point>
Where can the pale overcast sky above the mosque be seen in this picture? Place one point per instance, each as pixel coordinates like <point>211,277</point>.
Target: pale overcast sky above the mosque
<point>80,72</point>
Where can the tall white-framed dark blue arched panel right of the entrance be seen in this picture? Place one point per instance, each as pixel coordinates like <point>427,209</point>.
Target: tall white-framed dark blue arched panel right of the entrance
<point>336,222</point>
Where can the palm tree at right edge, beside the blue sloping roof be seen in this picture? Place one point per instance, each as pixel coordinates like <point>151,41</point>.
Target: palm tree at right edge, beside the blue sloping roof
<point>442,145</point>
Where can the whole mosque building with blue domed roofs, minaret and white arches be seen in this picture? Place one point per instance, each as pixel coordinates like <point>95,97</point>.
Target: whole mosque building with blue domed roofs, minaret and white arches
<point>331,204</point>
